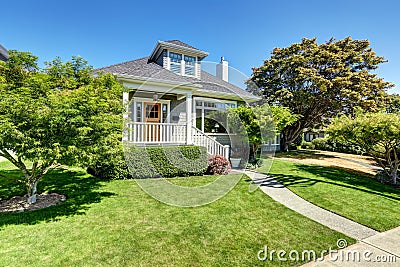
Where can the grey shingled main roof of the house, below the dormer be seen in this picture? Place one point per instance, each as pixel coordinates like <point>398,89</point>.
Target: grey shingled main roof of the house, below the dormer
<point>144,69</point>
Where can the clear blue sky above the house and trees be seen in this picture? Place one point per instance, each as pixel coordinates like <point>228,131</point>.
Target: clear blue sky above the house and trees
<point>244,32</point>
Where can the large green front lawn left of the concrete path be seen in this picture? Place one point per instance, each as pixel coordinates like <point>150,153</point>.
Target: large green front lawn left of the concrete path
<point>116,224</point>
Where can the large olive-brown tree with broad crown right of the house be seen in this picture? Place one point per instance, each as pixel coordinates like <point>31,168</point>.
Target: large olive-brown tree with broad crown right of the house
<point>319,81</point>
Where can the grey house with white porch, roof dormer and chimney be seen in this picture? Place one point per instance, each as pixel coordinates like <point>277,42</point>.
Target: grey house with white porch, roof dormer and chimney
<point>170,96</point>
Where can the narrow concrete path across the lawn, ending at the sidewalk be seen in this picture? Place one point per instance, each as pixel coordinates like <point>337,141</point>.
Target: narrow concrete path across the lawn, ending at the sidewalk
<point>283,195</point>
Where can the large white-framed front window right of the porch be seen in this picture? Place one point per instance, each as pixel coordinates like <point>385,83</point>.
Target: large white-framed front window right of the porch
<point>205,115</point>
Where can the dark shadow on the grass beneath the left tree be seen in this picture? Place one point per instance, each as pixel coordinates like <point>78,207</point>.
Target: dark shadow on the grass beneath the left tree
<point>80,189</point>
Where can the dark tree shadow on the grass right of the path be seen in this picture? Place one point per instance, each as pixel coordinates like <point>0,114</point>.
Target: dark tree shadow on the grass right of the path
<point>339,178</point>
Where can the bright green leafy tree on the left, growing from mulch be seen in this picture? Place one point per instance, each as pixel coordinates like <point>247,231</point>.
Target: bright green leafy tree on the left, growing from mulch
<point>59,115</point>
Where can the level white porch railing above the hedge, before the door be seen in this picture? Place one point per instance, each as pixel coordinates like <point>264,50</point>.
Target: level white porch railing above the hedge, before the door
<point>149,132</point>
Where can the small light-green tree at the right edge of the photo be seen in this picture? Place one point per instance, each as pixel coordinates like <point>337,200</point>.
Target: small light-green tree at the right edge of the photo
<point>376,133</point>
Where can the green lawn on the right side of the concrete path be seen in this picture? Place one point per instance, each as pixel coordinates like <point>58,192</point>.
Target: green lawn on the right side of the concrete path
<point>351,195</point>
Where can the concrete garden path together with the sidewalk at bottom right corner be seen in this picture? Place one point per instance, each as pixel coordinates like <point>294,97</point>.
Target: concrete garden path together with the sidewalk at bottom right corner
<point>372,248</point>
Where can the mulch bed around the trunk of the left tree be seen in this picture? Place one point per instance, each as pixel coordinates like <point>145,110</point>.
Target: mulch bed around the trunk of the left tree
<point>19,203</point>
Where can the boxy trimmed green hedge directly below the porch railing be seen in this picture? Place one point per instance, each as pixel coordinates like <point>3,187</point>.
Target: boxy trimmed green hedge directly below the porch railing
<point>166,162</point>
